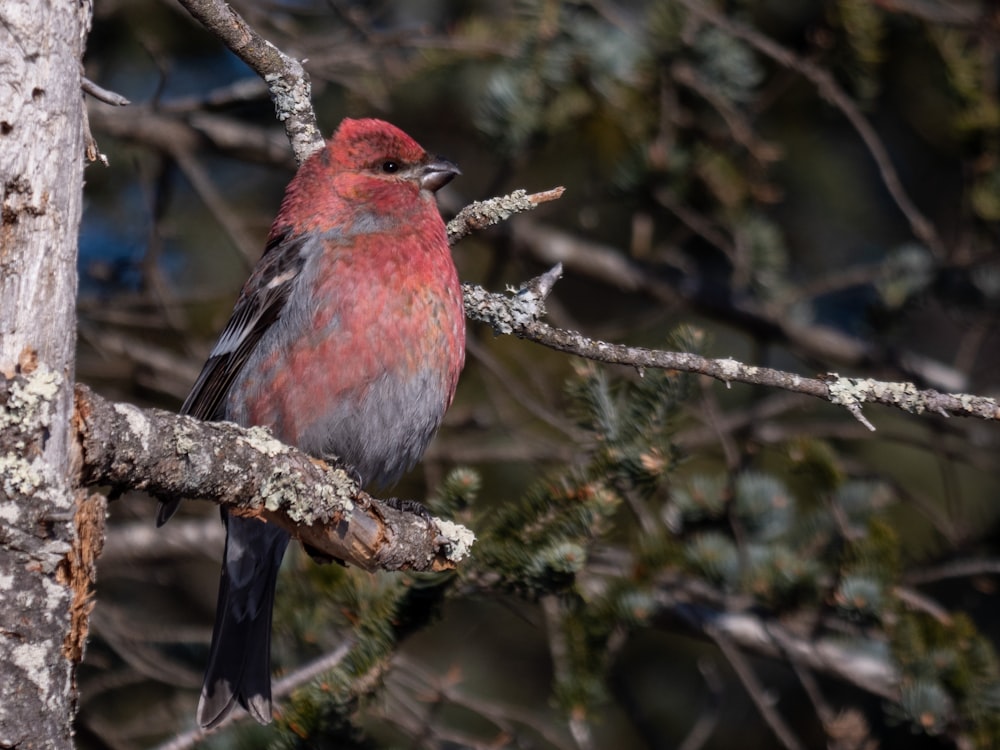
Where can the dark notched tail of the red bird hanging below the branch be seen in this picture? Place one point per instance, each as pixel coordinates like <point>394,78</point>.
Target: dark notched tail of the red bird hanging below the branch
<point>239,665</point>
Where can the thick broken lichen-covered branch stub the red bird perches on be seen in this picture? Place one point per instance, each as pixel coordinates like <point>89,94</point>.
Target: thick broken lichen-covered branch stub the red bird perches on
<point>253,474</point>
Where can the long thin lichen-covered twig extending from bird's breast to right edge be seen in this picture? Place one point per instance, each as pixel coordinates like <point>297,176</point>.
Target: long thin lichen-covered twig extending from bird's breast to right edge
<point>518,314</point>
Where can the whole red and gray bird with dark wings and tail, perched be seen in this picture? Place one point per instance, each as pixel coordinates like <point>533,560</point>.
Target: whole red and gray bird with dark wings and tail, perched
<point>347,341</point>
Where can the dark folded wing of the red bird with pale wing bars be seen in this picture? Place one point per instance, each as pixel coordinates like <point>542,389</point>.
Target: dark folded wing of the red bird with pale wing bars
<point>259,305</point>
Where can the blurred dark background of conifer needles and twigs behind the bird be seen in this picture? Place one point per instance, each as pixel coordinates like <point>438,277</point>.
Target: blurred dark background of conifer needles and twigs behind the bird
<point>663,561</point>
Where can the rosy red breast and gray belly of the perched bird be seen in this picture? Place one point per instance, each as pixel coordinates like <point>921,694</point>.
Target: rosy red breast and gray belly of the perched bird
<point>364,361</point>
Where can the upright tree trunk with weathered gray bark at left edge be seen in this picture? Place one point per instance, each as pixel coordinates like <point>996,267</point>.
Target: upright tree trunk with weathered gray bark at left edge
<point>43,601</point>
